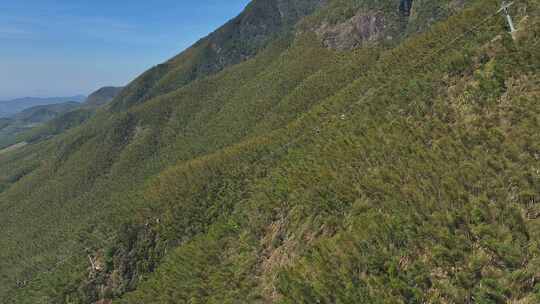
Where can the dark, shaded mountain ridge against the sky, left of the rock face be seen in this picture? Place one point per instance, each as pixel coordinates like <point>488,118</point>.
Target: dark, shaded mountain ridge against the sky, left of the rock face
<point>236,41</point>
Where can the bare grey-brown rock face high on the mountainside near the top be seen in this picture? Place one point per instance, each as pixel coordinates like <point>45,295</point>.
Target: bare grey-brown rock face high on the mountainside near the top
<point>362,28</point>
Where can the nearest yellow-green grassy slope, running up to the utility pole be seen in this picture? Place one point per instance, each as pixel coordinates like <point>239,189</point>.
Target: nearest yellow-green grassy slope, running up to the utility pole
<point>405,207</point>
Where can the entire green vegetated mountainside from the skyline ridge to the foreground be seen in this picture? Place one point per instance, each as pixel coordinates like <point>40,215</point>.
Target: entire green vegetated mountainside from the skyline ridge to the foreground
<point>369,153</point>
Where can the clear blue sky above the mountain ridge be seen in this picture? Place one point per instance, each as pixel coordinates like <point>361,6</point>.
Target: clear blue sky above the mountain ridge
<point>70,47</point>
